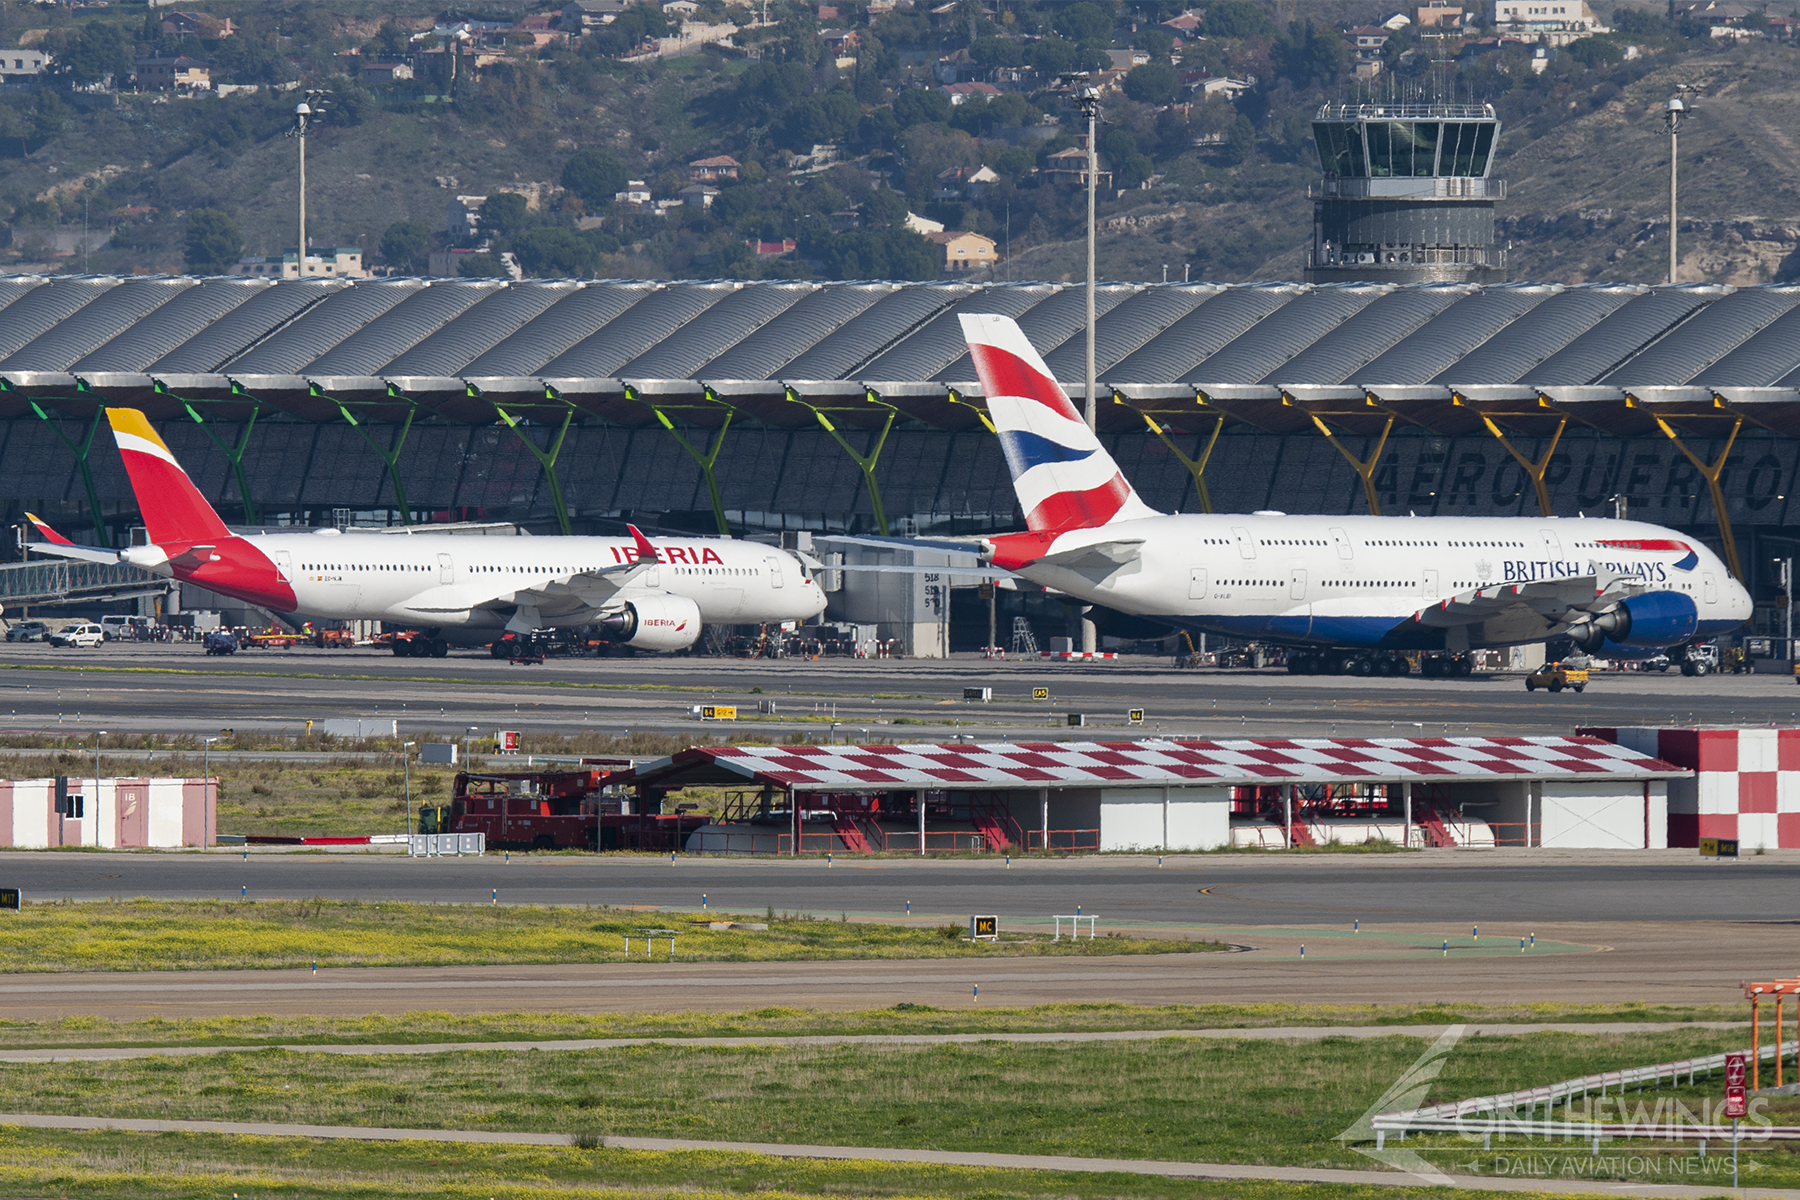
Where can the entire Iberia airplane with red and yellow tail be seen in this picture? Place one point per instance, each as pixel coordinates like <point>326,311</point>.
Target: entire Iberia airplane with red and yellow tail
<point>654,596</point>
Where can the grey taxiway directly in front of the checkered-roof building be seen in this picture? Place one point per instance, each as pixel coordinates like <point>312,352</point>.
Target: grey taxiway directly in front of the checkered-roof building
<point>1426,891</point>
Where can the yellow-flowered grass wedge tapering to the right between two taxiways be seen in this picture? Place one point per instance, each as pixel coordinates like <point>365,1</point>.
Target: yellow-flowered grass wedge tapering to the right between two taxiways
<point>201,935</point>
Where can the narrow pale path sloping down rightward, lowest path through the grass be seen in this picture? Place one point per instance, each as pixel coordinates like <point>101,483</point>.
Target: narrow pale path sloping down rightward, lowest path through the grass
<point>931,1158</point>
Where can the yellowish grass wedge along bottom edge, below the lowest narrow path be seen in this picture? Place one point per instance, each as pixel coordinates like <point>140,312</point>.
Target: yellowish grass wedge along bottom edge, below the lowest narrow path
<point>157,1167</point>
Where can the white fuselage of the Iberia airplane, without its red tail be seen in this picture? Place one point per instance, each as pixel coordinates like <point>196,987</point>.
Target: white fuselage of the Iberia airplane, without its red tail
<point>454,582</point>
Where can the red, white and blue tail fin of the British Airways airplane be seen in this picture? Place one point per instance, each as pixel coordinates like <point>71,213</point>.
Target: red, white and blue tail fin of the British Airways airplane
<point>1063,474</point>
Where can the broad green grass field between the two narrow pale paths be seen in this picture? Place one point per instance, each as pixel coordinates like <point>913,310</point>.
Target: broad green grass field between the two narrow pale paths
<point>1171,1100</point>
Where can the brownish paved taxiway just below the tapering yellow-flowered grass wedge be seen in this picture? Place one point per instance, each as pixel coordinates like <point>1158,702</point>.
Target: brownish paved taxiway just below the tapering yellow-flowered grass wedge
<point>1581,963</point>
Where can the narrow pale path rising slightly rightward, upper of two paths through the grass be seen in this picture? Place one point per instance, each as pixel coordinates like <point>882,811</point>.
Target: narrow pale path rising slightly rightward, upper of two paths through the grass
<point>1263,1034</point>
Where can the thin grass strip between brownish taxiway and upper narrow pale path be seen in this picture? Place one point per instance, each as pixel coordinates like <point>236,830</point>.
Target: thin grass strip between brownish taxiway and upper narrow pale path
<point>768,1023</point>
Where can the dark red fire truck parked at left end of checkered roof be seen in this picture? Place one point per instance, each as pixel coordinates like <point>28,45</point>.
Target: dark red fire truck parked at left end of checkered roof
<point>561,809</point>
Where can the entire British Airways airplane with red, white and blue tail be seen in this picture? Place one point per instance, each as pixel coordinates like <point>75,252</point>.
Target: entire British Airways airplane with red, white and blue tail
<point>1336,587</point>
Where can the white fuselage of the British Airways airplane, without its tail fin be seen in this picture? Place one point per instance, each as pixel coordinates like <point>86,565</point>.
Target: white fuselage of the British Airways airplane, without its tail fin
<point>1349,580</point>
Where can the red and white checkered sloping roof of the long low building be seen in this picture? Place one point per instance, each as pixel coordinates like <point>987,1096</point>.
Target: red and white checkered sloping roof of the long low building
<point>1153,764</point>
